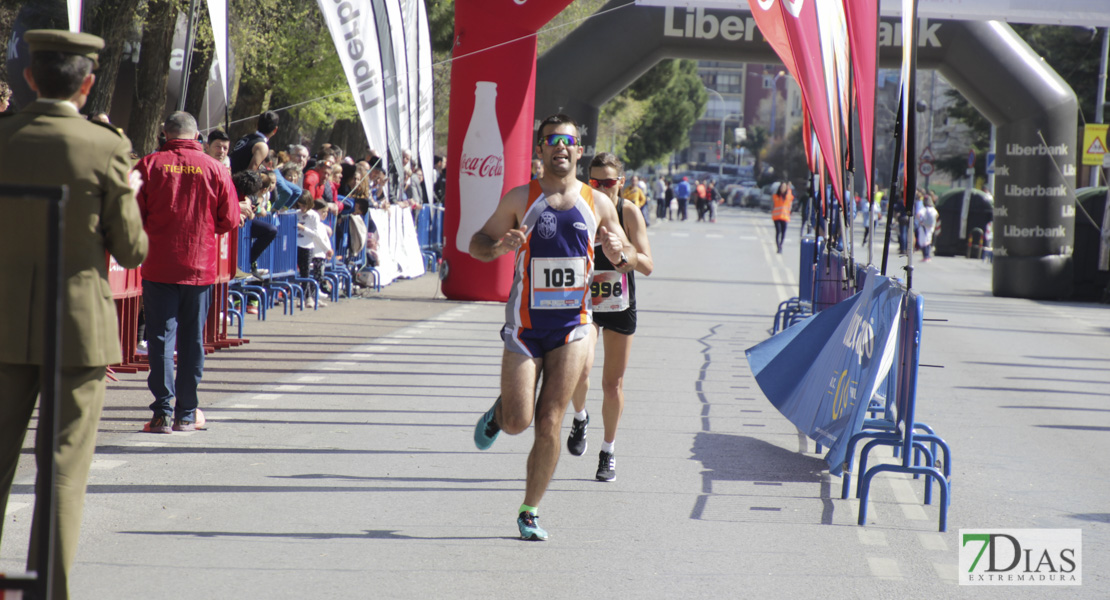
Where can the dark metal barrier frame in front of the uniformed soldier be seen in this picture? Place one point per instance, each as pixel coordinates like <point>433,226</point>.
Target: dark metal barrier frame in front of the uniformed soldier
<point>39,585</point>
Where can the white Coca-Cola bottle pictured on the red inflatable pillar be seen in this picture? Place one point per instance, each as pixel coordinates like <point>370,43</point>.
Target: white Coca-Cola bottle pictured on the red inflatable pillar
<point>481,168</point>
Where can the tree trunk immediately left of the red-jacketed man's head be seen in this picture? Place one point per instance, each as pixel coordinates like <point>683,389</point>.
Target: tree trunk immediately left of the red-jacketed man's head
<point>153,75</point>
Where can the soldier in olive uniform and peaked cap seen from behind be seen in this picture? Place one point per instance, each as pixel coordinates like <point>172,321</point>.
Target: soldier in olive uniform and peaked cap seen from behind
<point>51,144</point>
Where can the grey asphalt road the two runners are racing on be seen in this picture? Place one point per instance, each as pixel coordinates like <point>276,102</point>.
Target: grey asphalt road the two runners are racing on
<point>340,464</point>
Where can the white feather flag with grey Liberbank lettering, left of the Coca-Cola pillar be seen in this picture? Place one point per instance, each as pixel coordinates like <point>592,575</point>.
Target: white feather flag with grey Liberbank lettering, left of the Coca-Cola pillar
<point>355,32</point>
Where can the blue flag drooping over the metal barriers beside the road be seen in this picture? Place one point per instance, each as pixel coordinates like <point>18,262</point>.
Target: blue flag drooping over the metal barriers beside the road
<point>822,373</point>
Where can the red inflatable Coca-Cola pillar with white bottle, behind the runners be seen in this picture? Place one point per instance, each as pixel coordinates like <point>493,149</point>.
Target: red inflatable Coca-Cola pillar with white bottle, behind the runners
<point>490,140</point>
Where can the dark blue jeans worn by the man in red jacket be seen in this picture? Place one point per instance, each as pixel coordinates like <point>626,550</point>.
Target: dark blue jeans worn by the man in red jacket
<point>176,317</point>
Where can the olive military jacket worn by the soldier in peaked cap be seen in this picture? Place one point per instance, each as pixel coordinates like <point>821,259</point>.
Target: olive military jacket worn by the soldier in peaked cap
<point>53,145</point>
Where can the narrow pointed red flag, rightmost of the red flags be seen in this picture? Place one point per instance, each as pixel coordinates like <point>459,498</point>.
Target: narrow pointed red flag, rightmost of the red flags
<point>863,18</point>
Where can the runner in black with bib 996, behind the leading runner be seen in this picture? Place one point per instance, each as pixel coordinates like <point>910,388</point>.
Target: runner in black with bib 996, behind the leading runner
<point>614,302</point>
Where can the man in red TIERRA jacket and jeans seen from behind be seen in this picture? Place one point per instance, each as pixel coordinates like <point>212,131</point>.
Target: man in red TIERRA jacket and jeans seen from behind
<point>187,200</point>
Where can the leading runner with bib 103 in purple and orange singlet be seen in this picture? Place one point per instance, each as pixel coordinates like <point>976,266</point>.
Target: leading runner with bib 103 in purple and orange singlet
<point>552,226</point>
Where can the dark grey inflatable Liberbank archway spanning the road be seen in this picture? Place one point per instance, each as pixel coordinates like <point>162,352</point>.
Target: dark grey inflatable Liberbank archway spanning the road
<point>987,62</point>
